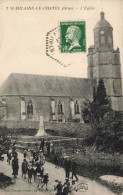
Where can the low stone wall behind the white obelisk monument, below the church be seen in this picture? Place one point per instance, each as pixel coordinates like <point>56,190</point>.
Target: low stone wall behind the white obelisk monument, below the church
<point>66,129</point>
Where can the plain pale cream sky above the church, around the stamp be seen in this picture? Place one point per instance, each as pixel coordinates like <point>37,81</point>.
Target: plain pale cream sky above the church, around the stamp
<point>23,34</point>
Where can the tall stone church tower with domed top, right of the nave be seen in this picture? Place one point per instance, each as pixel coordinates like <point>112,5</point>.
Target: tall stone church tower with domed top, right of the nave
<point>104,62</point>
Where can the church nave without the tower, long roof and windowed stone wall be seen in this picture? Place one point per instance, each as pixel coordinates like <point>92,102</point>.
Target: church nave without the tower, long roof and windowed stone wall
<point>26,97</point>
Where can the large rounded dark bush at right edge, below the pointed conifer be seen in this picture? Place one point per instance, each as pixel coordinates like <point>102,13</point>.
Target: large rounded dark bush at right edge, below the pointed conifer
<point>109,133</point>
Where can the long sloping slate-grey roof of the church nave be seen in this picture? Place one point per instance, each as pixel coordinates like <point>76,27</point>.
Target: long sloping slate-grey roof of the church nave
<point>42,85</point>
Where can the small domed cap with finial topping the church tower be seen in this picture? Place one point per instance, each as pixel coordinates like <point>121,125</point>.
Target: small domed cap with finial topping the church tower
<point>102,22</point>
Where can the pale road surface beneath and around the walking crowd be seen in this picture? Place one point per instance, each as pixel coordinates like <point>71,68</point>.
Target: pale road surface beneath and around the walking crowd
<point>22,186</point>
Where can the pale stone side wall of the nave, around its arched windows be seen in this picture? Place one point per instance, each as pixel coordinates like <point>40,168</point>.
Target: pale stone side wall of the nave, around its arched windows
<point>41,106</point>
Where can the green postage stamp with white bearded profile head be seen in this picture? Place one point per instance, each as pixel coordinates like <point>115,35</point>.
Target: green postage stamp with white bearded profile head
<point>72,37</point>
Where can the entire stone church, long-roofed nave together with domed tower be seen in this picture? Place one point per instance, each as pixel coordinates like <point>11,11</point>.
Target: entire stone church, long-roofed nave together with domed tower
<point>25,97</point>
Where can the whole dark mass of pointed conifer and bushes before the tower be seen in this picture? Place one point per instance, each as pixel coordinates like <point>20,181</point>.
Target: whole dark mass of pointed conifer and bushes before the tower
<point>106,123</point>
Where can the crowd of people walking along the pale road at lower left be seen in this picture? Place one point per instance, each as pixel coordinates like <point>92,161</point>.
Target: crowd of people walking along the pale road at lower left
<point>33,167</point>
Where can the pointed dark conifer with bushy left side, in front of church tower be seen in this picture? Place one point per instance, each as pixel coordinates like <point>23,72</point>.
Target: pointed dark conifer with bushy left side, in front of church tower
<point>96,109</point>
